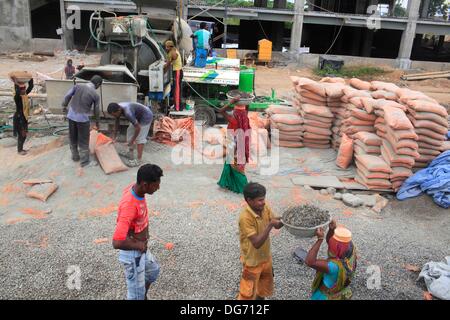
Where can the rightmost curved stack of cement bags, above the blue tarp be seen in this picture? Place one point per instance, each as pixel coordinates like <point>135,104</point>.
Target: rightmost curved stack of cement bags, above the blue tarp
<point>430,123</point>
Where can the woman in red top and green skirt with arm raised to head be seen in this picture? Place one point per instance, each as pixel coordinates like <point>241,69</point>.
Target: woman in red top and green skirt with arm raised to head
<point>238,147</point>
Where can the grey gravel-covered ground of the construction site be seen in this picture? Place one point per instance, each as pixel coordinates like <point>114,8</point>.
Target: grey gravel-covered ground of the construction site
<point>39,251</point>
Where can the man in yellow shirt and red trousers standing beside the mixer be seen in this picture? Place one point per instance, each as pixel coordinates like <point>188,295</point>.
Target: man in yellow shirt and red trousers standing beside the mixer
<point>174,60</point>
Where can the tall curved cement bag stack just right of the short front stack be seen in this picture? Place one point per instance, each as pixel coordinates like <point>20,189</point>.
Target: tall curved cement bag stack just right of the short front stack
<point>399,146</point>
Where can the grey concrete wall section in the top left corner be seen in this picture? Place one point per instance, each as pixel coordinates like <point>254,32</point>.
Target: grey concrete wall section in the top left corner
<point>15,30</point>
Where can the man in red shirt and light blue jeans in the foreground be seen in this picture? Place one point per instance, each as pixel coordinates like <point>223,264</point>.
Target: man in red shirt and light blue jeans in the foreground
<point>131,234</point>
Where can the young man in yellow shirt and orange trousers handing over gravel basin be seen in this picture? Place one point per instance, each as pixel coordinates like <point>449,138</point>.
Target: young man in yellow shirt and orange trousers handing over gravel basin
<point>255,223</point>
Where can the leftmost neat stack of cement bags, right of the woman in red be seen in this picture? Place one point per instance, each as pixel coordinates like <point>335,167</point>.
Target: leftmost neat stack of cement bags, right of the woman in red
<point>285,126</point>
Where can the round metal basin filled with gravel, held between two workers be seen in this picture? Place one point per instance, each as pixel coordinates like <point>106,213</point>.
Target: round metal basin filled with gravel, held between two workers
<point>302,221</point>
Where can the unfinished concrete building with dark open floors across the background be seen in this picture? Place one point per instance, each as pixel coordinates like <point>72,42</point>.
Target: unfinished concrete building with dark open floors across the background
<point>402,30</point>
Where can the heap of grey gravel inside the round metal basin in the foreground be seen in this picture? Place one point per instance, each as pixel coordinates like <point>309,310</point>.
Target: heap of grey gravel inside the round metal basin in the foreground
<point>305,216</point>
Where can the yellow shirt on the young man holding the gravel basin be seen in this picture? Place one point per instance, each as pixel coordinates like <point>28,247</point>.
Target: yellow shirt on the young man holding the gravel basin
<point>251,224</point>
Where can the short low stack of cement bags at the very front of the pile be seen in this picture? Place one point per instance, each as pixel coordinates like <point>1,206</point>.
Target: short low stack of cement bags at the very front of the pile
<point>372,172</point>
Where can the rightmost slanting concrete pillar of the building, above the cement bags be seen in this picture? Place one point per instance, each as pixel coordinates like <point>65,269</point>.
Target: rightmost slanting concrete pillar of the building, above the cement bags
<point>408,35</point>
